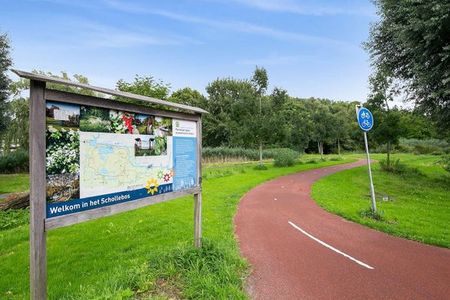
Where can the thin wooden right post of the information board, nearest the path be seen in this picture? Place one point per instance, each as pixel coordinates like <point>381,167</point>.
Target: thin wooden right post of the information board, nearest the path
<point>198,196</point>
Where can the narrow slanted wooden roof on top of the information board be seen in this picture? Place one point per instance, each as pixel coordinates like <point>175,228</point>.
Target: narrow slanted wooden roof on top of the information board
<point>44,78</point>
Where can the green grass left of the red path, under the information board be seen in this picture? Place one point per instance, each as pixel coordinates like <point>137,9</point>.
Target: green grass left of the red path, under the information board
<point>147,252</point>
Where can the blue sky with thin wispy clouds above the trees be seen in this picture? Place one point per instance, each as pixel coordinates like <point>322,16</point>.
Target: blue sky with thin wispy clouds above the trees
<point>310,48</point>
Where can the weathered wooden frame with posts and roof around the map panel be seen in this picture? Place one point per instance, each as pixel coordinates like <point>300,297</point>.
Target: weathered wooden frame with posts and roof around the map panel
<point>39,223</point>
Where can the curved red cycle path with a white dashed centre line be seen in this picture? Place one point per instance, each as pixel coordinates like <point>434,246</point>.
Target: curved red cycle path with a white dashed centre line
<point>299,251</point>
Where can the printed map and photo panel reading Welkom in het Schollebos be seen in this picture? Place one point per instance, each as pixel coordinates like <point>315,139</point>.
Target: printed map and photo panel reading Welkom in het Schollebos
<point>98,156</point>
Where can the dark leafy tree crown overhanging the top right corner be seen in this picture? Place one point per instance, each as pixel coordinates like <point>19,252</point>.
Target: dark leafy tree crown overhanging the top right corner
<point>411,44</point>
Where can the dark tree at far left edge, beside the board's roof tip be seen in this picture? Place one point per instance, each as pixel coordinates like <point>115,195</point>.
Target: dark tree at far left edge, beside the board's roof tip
<point>5,63</point>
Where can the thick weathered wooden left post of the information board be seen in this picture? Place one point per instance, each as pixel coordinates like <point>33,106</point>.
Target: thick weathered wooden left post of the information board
<point>38,255</point>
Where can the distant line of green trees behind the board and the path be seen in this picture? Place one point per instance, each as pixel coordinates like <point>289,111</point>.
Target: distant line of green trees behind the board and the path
<point>242,115</point>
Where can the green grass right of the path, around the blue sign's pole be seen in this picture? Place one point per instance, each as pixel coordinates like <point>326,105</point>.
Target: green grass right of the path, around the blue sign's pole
<point>420,198</point>
